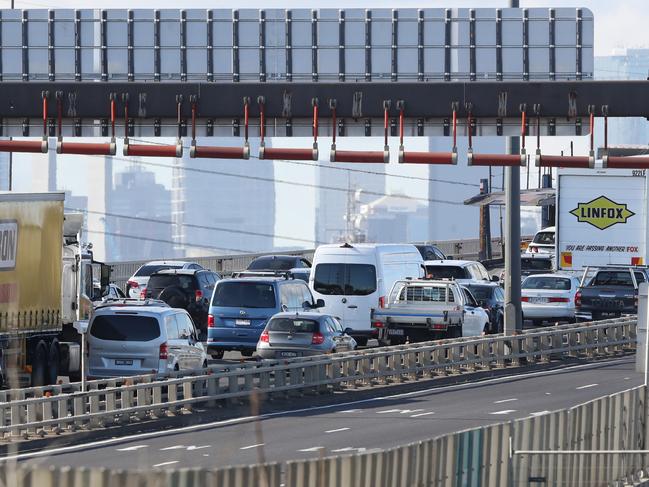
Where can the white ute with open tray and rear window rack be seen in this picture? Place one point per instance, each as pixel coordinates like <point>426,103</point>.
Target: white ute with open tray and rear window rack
<point>423,309</point>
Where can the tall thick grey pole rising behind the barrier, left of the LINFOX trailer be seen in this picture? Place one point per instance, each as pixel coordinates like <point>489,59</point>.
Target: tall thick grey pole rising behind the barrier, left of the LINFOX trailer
<point>513,312</point>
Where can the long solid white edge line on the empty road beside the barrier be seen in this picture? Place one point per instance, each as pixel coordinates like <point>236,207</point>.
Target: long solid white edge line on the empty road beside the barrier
<point>227,422</point>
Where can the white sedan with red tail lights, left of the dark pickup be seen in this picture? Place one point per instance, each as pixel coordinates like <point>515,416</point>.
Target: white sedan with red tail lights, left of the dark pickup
<point>549,297</point>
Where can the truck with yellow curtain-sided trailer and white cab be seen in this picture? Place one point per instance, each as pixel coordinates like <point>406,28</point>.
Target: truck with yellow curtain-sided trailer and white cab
<point>46,286</point>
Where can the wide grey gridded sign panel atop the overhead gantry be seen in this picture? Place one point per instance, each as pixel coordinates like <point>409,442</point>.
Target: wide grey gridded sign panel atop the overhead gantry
<point>297,46</point>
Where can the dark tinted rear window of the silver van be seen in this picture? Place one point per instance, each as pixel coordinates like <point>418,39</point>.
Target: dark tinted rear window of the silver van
<point>125,328</point>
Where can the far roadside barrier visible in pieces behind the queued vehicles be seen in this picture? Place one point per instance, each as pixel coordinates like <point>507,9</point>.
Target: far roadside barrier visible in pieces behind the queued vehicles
<point>467,249</point>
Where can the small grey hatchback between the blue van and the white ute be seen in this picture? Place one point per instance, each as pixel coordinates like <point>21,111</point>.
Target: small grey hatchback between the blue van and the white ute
<point>300,334</point>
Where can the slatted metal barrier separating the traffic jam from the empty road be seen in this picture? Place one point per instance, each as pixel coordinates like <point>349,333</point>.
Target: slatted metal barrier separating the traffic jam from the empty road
<point>151,399</point>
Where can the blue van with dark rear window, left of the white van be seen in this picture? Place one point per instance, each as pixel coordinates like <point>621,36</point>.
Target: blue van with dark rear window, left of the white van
<point>241,308</point>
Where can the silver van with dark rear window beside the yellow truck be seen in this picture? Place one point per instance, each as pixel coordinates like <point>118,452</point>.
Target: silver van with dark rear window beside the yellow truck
<point>127,338</point>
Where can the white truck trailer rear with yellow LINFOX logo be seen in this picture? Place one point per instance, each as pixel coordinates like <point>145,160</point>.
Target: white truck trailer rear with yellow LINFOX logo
<point>601,218</point>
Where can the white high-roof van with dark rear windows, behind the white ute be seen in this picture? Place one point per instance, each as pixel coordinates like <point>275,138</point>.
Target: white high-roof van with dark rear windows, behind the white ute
<point>354,278</point>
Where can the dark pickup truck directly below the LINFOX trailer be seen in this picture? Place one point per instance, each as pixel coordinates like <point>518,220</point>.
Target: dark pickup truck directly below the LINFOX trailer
<point>610,292</point>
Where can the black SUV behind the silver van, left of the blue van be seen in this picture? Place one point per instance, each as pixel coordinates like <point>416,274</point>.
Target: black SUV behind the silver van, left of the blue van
<point>189,289</point>
